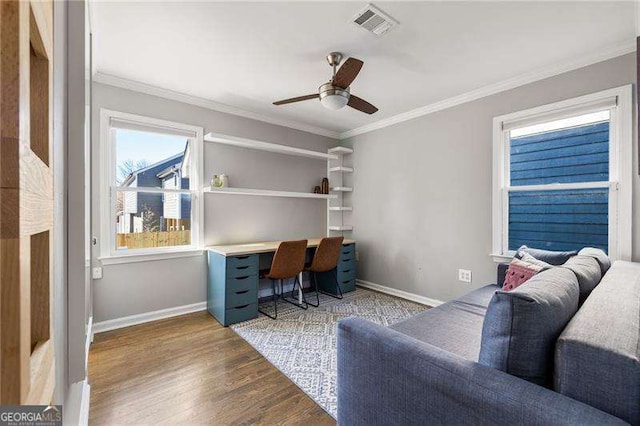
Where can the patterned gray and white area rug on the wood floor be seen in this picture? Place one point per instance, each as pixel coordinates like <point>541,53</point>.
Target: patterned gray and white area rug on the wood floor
<point>302,344</point>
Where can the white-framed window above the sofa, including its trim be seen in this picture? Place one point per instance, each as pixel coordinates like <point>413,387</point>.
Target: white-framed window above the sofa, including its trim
<point>562,176</point>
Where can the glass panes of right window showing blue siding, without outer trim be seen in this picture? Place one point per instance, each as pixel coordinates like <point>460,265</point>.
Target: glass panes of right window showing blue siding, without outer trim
<point>542,215</point>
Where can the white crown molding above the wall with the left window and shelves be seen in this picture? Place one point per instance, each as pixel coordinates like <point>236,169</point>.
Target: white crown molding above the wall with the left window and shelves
<point>136,86</point>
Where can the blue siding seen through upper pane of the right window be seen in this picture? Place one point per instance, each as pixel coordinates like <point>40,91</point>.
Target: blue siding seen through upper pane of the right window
<point>579,154</point>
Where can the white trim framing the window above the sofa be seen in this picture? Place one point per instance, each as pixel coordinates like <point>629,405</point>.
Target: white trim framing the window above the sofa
<point>620,166</point>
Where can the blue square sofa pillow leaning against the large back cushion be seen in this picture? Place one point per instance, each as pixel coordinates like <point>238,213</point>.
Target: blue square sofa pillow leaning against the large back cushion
<point>521,326</point>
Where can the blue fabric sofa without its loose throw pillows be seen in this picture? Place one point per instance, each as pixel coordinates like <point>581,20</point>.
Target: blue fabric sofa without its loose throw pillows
<point>426,369</point>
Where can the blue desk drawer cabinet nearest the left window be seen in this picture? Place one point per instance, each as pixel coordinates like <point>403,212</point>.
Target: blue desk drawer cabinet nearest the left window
<point>232,287</point>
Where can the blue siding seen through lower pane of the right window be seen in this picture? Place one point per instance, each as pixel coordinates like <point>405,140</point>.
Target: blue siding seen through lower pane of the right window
<point>559,220</point>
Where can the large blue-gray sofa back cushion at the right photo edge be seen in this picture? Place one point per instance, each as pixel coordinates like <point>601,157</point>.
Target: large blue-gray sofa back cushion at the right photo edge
<point>597,355</point>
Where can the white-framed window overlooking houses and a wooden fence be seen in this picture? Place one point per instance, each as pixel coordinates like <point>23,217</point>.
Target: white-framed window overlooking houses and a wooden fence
<point>150,185</point>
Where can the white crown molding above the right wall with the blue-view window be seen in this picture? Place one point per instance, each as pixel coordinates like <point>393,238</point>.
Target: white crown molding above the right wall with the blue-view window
<point>492,89</point>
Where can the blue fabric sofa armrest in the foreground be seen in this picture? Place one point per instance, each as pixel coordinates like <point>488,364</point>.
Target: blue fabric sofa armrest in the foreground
<point>388,378</point>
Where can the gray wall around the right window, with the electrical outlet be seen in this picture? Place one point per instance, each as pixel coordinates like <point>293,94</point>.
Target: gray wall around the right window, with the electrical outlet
<point>422,188</point>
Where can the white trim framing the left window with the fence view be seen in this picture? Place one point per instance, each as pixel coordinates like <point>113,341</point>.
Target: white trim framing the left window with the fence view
<point>108,254</point>
